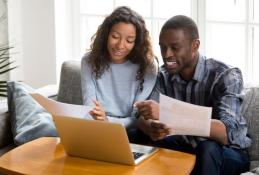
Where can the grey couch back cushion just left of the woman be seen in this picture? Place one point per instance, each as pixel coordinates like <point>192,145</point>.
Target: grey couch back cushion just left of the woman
<point>70,83</point>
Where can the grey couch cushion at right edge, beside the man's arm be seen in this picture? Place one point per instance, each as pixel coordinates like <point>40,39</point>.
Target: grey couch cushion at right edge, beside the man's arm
<point>251,113</point>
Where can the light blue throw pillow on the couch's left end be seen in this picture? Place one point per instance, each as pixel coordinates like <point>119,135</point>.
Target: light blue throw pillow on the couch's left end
<point>29,120</point>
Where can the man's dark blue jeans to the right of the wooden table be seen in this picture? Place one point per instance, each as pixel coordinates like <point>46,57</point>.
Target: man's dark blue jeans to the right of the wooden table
<point>212,158</point>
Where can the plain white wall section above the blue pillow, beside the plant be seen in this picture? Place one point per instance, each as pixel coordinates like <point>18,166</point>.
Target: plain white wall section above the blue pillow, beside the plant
<point>32,33</point>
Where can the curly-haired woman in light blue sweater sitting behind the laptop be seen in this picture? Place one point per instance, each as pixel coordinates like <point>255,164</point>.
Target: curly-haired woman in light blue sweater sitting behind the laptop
<point>120,68</point>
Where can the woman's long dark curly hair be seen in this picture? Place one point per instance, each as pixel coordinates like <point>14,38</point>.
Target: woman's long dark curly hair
<point>141,54</point>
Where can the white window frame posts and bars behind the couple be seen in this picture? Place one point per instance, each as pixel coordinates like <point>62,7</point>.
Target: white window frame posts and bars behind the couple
<point>198,13</point>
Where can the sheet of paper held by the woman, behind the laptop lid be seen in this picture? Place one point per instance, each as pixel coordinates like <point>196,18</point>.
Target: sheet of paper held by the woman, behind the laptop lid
<point>56,108</point>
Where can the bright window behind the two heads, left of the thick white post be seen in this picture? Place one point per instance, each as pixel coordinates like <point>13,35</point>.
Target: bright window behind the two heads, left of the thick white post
<point>154,12</point>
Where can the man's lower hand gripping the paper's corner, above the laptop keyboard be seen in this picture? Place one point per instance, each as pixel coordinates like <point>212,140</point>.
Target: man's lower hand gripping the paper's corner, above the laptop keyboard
<point>153,128</point>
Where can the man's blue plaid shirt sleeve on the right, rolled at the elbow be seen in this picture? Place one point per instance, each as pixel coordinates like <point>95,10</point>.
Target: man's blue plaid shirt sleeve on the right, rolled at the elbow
<point>228,104</point>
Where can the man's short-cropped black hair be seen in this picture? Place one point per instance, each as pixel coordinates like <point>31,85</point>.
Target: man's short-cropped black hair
<point>183,23</point>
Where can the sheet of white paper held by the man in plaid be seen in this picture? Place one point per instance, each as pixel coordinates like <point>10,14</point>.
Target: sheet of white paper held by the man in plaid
<point>185,118</point>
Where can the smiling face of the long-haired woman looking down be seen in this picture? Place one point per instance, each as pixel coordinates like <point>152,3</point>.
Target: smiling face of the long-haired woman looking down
<point>121,41</point>
